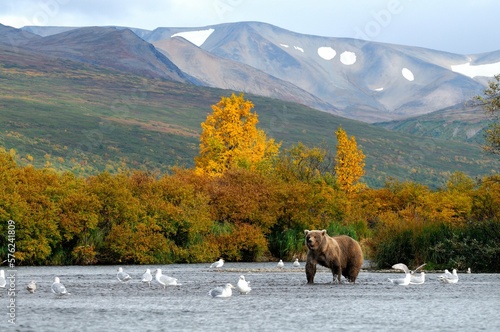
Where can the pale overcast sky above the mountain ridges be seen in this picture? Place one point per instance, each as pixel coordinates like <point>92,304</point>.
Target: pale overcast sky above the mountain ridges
<point>457,26</point>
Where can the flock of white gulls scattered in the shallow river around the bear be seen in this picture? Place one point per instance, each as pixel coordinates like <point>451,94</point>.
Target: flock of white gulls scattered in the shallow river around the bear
<point>243,286</point>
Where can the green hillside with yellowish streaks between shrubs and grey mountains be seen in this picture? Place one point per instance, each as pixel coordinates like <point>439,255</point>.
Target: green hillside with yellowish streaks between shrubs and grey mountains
<point>71,116</point>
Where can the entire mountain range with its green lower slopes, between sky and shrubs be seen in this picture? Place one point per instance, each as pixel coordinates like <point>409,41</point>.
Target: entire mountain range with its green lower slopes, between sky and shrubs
<point>132,76</point>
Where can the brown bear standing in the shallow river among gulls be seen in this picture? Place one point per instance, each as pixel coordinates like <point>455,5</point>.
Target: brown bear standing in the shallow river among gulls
<point>342,254</point>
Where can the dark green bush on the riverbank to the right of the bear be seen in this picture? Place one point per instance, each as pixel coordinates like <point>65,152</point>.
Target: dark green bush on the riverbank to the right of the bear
<point>475,245</point>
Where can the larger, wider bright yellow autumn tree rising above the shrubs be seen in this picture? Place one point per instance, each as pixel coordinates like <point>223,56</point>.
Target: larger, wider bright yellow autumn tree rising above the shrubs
<point>230,139</point>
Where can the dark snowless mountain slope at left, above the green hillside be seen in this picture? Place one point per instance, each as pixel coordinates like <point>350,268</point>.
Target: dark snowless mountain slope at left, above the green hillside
<point>107,47</point>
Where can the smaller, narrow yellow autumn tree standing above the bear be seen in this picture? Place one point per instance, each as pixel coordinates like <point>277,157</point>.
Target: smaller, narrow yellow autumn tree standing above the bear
<point>349,163</point>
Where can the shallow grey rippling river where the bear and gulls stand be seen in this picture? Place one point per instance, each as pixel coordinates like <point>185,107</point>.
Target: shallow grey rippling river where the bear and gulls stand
<point>280,300</point>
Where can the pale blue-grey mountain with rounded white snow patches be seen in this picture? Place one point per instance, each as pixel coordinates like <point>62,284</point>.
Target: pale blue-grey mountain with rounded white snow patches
<point>363,80</point>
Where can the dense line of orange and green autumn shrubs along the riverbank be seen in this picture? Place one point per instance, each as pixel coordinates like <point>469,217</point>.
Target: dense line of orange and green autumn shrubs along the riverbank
<point>243,215</point>
